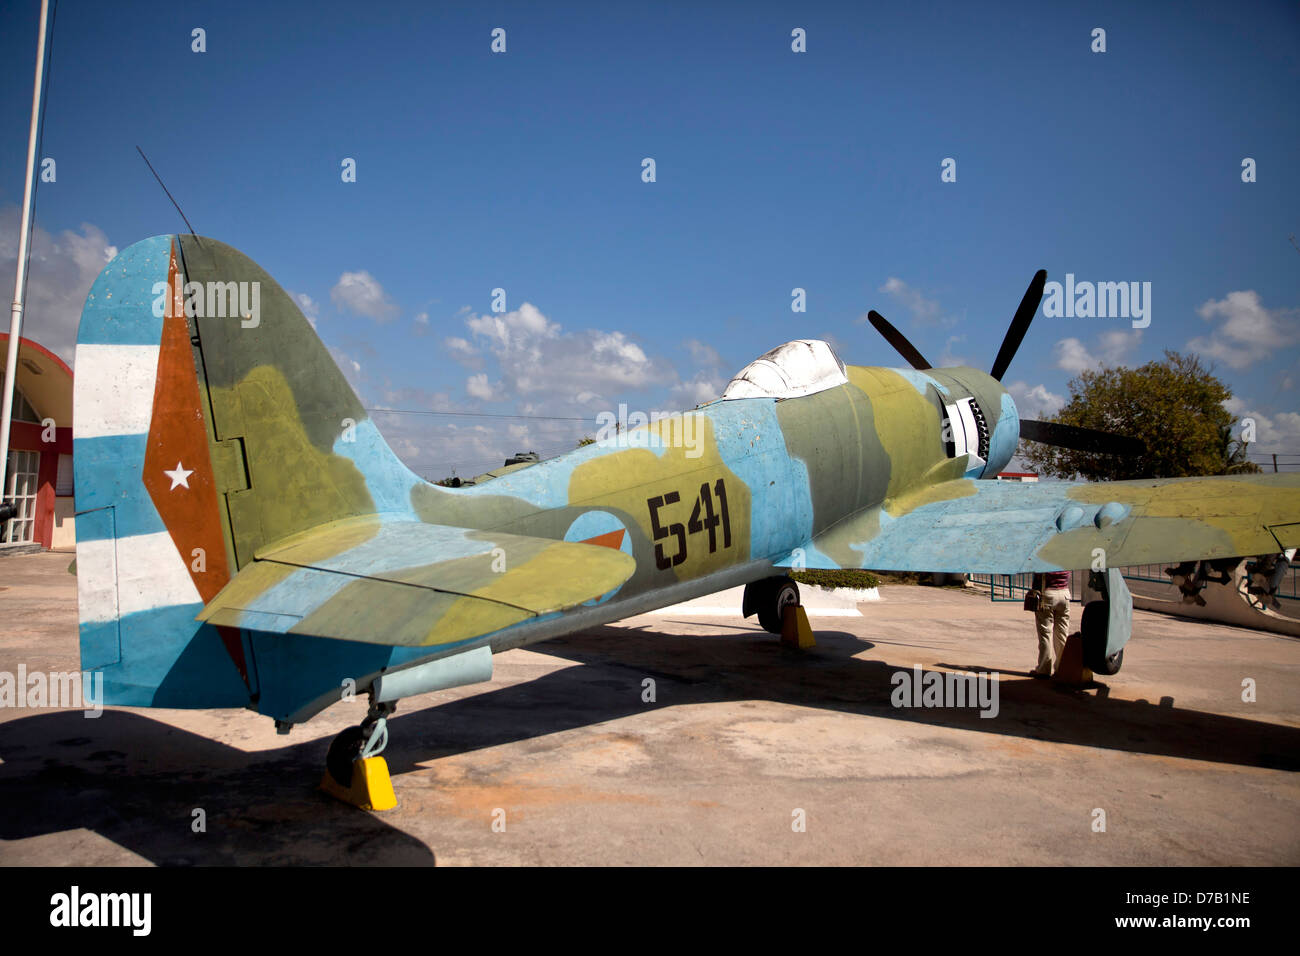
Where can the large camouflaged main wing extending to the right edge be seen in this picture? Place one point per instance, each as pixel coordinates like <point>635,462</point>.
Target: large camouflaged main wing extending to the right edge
<point>1008,527</point>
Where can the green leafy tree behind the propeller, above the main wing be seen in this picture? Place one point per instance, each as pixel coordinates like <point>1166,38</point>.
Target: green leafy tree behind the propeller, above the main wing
<point>1175,406</point>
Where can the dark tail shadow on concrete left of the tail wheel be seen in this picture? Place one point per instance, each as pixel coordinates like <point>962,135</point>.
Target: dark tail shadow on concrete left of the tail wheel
<point>137,782</point>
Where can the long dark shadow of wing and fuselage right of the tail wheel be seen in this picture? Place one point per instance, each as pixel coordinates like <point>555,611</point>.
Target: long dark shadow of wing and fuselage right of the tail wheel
<point>731,665</point>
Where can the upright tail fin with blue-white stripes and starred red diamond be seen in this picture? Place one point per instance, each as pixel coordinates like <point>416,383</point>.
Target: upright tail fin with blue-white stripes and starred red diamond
<point>209,422</point>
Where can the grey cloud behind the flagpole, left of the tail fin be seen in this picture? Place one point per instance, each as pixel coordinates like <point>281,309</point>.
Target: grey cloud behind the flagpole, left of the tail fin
<point>60,275</point>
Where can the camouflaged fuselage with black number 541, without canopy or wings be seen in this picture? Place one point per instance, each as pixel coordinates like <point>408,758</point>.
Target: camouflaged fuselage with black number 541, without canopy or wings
<point>718,496</point>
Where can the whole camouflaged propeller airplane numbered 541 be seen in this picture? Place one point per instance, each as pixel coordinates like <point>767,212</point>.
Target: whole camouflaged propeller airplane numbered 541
<point>248,539</point>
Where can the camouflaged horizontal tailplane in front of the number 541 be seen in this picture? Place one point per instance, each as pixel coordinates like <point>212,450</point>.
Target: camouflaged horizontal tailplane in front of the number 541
<point>392,582</point>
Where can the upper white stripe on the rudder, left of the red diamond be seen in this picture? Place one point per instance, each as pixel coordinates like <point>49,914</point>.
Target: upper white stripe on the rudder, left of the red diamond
<point>114,390</point>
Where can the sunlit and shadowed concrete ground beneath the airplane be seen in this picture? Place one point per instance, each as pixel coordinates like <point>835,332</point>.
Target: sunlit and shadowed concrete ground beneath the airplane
<point>743,736</point>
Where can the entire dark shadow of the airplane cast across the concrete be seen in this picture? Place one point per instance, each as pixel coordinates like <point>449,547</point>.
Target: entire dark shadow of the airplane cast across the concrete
<point>137,781</point>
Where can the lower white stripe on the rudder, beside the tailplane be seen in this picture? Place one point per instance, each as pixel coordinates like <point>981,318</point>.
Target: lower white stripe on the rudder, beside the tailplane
<point>149,572</point>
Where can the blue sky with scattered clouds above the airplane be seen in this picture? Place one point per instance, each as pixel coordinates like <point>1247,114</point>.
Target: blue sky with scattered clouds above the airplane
<point>774,171</point>
